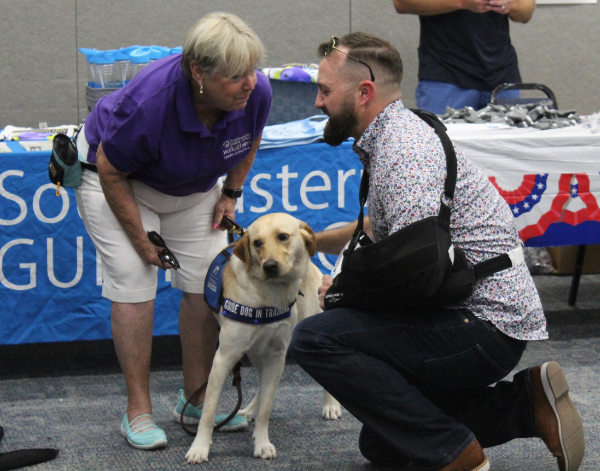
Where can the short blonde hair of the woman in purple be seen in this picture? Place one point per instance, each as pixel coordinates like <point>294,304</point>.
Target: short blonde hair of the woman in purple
<point>221,44</point>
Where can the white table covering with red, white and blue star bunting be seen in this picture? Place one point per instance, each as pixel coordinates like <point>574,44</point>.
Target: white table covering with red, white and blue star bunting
<point>550,179</point>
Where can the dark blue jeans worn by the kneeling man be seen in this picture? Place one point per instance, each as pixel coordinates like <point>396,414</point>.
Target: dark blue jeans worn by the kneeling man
<point>420,382</point>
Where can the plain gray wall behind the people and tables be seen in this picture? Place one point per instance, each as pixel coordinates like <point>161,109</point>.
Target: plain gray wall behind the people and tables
<point>42,76</point>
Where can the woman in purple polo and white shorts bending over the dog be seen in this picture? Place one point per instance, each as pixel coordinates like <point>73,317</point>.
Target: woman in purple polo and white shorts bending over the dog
<point>155,152</point>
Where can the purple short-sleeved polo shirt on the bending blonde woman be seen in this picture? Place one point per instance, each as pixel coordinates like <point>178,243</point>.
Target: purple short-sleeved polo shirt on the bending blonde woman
<point>150,130</point>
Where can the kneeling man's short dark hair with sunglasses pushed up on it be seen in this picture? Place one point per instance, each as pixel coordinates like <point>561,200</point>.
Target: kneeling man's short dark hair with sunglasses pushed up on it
<point>377,52</point>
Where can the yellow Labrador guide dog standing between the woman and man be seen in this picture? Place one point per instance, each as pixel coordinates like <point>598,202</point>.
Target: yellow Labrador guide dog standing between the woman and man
<point>261,285</point>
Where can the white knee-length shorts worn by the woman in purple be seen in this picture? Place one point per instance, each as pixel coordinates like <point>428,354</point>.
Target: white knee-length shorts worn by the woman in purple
<point>185,223</point>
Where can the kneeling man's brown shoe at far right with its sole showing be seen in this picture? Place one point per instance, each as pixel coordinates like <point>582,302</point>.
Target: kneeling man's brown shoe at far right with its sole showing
<point>558,422</point>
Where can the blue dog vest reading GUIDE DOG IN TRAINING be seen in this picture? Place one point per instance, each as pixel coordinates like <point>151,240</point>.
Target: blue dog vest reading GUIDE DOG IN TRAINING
<point>213,294</point>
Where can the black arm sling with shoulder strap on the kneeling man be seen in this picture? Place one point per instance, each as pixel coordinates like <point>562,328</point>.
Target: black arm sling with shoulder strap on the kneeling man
<point>417,266</point>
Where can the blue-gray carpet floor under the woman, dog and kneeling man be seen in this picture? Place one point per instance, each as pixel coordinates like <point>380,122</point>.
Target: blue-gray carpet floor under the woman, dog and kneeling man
<point>80,413</point>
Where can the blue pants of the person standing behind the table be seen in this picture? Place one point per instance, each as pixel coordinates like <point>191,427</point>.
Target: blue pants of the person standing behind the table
<point>436,96</point>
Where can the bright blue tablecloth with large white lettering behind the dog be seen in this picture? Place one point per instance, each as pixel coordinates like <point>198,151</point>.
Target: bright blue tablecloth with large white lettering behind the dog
<point>50,281</point>
